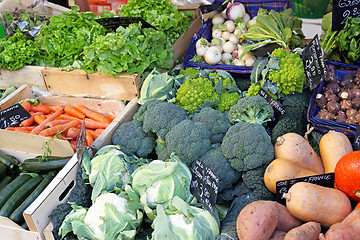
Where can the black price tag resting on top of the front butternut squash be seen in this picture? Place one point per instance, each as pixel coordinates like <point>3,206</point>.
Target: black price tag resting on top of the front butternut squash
<point>325,180</point>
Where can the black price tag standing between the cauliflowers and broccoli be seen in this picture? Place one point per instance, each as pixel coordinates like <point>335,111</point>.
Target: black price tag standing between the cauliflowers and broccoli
<point>204,185</point>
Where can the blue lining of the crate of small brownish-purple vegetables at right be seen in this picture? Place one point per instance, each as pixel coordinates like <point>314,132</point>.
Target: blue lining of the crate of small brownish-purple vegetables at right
<point>324,125</point>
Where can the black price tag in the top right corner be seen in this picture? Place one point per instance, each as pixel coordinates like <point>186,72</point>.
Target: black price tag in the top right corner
<point>342,10</point>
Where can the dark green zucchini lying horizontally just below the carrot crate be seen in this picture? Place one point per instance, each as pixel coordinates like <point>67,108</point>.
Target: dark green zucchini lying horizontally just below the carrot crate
<point>46,166</point>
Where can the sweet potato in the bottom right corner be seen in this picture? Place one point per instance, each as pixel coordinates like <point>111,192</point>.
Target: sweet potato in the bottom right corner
<point>348,229</point>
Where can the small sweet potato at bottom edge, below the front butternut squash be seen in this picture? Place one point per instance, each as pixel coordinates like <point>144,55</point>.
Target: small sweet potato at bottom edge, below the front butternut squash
<point>307,231</point>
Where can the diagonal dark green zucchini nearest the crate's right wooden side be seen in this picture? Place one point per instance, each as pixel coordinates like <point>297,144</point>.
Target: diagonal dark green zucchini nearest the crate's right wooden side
<point>16,215</point>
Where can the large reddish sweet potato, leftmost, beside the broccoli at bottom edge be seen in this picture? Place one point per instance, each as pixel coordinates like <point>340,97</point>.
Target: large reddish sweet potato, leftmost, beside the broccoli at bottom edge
<point>257,220</point>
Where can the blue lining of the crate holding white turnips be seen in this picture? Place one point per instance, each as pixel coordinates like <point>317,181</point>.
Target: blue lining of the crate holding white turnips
<point>251,7</point>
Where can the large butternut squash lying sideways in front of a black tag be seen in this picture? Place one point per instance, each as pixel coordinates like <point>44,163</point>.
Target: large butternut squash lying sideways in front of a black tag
<point>310,202</point>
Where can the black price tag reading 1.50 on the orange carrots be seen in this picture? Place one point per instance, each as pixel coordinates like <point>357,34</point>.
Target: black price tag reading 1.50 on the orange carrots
<point>13,115</point>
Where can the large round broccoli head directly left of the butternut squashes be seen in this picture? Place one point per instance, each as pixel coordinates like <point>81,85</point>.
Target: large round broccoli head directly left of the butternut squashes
<point>247,146</point>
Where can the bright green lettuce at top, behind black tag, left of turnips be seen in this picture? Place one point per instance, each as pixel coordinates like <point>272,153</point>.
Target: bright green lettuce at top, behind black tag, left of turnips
<point>161,14</point>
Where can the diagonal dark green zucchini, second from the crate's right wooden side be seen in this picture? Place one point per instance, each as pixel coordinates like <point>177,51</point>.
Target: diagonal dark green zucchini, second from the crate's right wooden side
<point>20,195</point>
